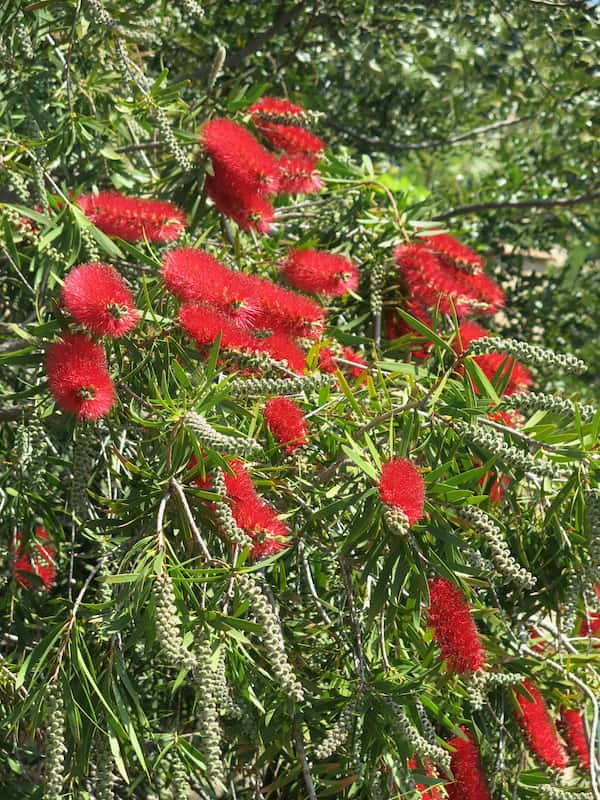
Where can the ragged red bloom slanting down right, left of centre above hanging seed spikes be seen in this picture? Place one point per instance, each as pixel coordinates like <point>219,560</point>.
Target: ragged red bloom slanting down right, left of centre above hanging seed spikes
<point>257,518</point>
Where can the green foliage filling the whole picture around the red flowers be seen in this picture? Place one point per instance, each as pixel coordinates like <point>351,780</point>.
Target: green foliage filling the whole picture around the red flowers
<point>331,633</point>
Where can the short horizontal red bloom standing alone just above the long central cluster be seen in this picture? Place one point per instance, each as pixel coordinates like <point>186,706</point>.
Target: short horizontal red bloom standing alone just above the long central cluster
<point>324,273</point>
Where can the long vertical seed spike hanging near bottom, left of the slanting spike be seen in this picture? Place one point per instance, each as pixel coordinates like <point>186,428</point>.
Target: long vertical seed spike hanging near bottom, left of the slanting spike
<point>208,689</point>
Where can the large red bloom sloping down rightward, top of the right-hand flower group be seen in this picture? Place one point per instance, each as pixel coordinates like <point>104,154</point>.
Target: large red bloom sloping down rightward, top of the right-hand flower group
<point>433,282</point>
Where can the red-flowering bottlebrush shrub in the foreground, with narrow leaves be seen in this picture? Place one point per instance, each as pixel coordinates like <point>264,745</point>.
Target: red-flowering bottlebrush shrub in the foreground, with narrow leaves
<point>217,608</point>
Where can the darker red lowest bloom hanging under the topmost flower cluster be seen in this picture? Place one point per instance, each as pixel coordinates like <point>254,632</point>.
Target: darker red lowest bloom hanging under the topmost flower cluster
<point>243,205</point>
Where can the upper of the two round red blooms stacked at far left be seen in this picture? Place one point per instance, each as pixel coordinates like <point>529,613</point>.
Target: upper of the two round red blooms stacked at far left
<point>96,296</point>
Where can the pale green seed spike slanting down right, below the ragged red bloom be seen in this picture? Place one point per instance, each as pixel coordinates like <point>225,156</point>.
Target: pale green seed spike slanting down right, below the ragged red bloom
<point>272,638</point>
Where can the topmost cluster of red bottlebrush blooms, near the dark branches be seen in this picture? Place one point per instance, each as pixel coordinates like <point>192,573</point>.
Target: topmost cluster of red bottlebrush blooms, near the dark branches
<point>245,175</point>
